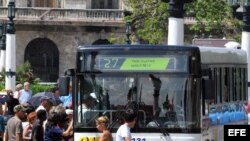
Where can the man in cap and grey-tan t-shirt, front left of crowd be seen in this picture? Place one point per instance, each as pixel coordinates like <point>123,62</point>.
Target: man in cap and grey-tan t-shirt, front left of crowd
<point>14,128</point>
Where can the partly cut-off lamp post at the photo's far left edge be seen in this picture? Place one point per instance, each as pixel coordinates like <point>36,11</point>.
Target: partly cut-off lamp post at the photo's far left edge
<point>2,46</point>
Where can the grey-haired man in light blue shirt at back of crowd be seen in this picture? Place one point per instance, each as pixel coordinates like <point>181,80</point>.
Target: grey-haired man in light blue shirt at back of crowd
<point>25,94</point>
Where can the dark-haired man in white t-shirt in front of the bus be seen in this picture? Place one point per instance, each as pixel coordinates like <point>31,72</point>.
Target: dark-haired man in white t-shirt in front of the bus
<point>123,133</point>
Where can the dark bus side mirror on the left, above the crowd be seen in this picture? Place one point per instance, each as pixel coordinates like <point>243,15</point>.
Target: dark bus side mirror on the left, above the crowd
<point>64,85</point>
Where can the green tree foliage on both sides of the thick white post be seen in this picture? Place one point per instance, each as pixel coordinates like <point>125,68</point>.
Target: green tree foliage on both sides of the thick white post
<point>150,19</point>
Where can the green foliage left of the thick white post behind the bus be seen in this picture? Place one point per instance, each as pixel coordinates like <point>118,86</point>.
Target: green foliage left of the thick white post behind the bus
<point>148,20</point>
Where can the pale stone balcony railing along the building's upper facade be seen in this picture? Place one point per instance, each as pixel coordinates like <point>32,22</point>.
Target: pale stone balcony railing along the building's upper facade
<point>34,15</point>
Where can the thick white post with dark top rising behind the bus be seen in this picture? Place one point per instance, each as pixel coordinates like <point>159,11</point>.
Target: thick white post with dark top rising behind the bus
<point>176,21</point>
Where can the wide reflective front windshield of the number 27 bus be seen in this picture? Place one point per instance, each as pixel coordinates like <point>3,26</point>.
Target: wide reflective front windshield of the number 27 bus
<point>166,99</point>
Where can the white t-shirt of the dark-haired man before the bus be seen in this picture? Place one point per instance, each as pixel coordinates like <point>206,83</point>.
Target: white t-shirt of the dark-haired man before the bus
<point>122,132</point>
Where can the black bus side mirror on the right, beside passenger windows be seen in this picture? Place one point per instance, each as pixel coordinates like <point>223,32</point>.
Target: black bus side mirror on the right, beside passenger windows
<point>208,89</point>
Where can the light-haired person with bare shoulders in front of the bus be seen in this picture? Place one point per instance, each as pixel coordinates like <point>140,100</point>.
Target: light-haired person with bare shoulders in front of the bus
<point>102,126</point>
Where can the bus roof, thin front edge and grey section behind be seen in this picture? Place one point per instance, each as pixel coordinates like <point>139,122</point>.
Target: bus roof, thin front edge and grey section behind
<point>208,54</point>
